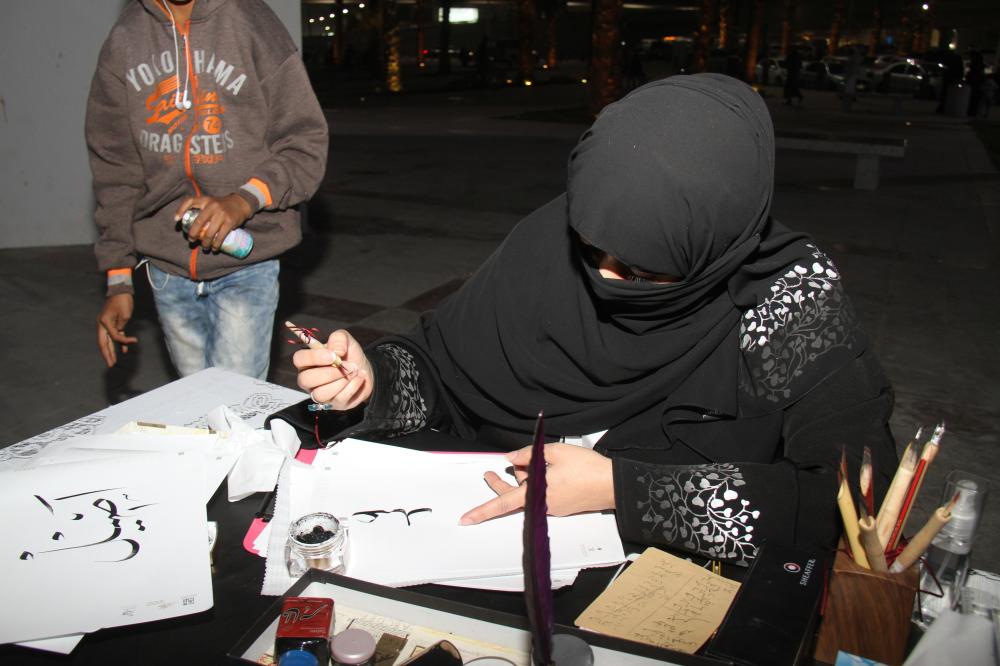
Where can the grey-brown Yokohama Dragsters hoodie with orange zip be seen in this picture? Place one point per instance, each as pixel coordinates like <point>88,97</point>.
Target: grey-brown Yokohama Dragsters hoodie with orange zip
<point>253,127</point>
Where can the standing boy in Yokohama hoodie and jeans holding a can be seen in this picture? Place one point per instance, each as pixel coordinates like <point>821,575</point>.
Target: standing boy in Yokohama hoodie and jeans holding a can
<point>200,104</point>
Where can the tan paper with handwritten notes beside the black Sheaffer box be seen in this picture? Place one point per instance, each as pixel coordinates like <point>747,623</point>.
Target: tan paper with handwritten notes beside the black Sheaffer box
<point>662,600</point>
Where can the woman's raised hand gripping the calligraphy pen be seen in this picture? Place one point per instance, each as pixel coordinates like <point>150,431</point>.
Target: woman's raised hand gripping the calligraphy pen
<point>327,383</point>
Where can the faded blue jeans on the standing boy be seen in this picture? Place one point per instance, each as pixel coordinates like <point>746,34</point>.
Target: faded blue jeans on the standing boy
<point>225,322</point>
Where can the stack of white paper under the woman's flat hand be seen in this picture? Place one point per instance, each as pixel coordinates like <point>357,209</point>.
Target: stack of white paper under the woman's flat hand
<point>402,508</point>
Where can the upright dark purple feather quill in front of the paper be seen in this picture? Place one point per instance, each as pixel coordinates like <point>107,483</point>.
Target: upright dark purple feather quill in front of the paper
<point>537,558</point>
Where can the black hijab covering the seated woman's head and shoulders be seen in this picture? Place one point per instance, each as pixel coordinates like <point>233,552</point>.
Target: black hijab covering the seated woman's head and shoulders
<point>675,178</point>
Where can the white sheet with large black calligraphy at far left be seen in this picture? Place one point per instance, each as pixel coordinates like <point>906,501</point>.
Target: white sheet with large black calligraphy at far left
<point>102,543</point>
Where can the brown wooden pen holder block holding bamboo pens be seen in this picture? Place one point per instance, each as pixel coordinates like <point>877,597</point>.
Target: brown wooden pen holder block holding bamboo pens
<point>867,613</point>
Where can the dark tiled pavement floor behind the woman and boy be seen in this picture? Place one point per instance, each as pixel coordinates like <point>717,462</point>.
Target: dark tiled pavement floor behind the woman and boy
<point>417,195</point>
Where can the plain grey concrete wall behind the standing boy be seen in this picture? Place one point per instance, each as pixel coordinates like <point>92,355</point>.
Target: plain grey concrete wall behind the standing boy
<point>48,51</point>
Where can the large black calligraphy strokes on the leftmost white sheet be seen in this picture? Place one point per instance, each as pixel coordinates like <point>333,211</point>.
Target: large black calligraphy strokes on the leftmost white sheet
<point>112,510</point>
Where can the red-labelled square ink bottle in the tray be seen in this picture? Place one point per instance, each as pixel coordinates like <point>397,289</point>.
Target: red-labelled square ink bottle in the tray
<point>303,634</point>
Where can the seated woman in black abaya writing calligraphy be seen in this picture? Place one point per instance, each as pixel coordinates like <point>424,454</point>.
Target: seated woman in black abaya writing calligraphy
<point>658,310</point>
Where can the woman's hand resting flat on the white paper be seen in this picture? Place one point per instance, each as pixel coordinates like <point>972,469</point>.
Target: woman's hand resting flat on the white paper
<point>578,480</point>
